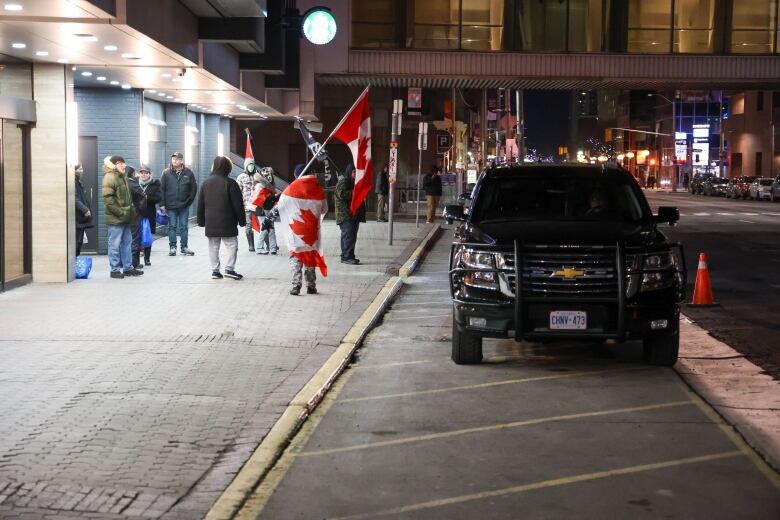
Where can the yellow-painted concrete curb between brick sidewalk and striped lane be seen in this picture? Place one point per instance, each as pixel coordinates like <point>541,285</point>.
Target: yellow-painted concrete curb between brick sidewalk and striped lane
<point>229,504</point>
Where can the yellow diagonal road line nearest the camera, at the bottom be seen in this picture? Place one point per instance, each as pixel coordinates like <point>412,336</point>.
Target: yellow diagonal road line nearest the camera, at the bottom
<point>574,479</point>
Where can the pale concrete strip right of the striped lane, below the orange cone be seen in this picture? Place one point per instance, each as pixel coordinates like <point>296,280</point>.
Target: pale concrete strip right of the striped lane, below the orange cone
<point>740,392</point>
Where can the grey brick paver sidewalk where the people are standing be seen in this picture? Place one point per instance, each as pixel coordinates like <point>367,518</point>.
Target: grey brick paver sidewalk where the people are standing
<point>145,396</point>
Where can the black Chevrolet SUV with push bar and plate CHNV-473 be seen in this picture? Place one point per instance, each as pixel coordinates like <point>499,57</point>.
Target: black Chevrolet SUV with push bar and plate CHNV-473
<point>564,253</point>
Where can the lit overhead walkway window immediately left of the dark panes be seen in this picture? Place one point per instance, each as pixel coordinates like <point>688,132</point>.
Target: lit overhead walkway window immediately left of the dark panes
<point>483,25</point>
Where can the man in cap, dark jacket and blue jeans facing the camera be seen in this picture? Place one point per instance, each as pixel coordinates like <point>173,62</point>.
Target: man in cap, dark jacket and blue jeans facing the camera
<point>179,189</point>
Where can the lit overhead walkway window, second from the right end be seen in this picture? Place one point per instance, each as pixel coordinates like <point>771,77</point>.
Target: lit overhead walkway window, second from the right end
<point>693,23</point>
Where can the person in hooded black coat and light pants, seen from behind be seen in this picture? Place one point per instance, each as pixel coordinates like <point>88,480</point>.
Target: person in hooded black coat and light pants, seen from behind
<point>221,211</point>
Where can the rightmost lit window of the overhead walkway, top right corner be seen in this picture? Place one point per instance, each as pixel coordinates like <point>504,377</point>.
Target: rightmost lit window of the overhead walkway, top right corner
<point>753,25</point>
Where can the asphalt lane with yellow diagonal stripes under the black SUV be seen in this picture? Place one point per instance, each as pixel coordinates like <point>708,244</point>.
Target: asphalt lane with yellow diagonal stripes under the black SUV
<point>536,431</point>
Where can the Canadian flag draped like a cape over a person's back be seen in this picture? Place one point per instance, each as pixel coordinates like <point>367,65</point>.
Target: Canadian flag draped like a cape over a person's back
<point>301,207</point>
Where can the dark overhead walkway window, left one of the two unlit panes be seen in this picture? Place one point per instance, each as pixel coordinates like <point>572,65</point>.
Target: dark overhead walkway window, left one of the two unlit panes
<point>542,25</point>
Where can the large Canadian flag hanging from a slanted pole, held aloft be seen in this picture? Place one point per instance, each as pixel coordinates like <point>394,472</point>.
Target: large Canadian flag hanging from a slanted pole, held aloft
<point>355,131</point>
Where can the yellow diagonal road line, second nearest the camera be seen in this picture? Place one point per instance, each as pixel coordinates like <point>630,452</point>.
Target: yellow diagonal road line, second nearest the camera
<point>494,427</point>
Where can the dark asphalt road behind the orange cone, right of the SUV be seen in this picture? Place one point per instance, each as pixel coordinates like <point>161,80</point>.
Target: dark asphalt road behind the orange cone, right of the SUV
<point>742,243</point>
